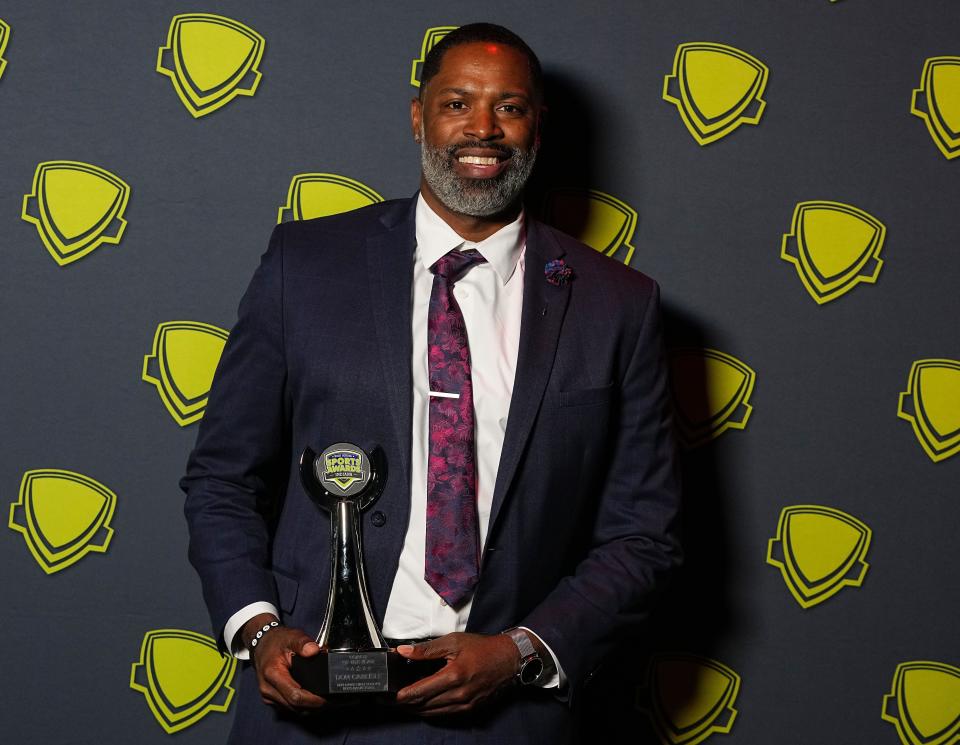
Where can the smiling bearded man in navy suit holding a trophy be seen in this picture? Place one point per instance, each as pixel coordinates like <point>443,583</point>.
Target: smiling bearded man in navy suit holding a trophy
<point>488,355</point>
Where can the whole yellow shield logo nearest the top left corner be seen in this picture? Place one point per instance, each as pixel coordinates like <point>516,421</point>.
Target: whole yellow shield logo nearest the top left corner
<point>210,60</point>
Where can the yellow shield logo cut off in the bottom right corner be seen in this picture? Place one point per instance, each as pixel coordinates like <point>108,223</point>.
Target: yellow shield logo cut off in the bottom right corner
<point>924,703</point>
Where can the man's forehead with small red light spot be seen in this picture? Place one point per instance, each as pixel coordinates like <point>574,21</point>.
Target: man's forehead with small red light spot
<point>484,64</point>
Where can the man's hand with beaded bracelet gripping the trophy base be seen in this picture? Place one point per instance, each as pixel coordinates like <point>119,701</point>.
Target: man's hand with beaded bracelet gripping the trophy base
<point>272,658</point>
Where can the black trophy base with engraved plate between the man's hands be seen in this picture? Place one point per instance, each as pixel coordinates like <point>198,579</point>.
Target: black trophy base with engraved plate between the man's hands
<point>377,674</point>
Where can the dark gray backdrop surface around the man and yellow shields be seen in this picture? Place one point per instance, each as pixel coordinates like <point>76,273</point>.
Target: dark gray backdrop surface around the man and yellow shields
<point>80,84</point>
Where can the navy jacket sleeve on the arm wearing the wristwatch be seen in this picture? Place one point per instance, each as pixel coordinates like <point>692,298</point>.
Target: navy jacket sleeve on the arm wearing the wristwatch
<point>634,541</point>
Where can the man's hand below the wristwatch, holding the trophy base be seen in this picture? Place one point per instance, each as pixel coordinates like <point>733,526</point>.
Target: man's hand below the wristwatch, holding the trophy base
<point>478,666</point>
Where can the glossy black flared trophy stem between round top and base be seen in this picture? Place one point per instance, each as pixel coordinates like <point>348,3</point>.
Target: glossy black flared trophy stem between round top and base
<point>349,624</point>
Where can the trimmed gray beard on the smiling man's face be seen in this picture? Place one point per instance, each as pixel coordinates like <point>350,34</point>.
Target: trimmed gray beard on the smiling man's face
<point>475,197</point>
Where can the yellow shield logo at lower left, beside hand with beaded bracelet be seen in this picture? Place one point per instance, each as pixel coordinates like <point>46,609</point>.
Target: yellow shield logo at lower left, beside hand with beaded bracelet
<point>183,676</point>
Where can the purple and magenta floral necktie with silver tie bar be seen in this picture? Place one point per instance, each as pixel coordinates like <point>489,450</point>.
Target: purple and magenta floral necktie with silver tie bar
<point>452,561</point>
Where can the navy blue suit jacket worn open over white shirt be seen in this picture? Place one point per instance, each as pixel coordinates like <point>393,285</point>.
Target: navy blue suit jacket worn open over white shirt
<point>586,497</point>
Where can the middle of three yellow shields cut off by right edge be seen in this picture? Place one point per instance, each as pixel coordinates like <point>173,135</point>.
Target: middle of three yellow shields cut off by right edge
<point>931,404</point>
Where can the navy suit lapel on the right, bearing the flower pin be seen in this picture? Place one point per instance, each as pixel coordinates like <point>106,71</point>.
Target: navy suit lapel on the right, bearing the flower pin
<point>544,306</point>
